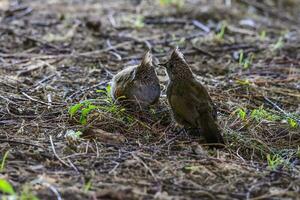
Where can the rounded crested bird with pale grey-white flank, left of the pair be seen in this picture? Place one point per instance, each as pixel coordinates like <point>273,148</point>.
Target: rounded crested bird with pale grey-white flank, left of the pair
<point>137,84</point>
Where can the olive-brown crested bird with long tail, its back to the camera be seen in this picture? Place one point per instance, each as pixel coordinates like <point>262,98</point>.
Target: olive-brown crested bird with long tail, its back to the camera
<point>191,104</point>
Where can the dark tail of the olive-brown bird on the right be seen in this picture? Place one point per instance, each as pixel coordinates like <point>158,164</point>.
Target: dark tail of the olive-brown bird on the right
<point>211,130</point>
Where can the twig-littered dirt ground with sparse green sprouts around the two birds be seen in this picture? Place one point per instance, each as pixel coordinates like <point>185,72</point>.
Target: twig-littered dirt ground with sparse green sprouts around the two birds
<point>55,54</point>
